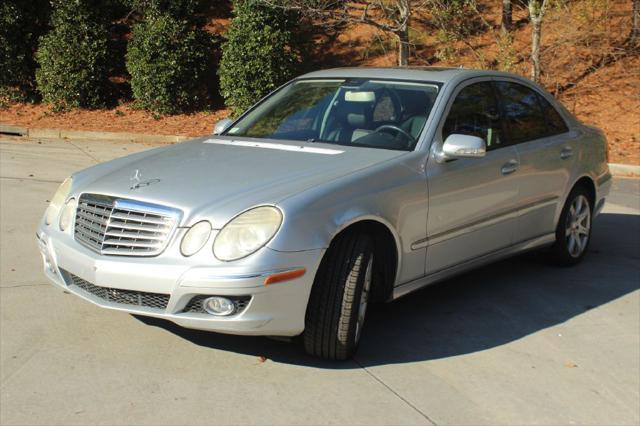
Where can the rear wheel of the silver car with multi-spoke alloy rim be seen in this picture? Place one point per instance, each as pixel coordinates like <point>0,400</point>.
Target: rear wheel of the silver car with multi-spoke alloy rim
<point>573,232</point>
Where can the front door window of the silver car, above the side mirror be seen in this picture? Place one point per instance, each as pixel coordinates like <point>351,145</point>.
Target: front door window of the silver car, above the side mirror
<point>474,112</point>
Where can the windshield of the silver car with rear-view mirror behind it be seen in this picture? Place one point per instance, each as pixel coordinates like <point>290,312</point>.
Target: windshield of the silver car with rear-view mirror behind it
<point>356,112</point>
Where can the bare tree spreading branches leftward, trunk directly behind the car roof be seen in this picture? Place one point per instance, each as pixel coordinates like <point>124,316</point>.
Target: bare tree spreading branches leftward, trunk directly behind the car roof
<point>390,16</point>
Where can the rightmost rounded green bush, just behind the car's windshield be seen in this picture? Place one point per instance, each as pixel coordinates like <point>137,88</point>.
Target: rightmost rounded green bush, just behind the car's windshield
<point>264,49</point>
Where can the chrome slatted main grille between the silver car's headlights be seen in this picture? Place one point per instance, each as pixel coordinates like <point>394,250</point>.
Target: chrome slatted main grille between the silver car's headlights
<point>120,227</point>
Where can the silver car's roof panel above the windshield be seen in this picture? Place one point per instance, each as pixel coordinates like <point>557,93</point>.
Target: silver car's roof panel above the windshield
<point>433,74</point>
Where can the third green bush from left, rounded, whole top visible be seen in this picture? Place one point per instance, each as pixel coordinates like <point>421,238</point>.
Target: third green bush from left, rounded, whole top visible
<point>170,63</point>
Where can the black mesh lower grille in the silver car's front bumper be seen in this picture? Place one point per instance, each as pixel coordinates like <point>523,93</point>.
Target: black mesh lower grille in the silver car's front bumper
<point>115,295</point>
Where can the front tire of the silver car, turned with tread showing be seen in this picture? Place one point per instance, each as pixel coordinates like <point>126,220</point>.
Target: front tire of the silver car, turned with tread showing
<point>339,298</point>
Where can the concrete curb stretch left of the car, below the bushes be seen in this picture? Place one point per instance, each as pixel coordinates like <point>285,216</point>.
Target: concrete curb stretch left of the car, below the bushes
<point>38,133</point>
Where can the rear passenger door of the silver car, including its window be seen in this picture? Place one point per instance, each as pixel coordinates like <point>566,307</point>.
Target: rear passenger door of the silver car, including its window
<point>545,149</point>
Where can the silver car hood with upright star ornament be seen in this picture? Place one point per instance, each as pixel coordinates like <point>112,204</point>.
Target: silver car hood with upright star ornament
<point>216,178</point>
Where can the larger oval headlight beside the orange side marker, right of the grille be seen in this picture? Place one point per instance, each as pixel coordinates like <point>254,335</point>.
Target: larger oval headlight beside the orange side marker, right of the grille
<point>247,232</point>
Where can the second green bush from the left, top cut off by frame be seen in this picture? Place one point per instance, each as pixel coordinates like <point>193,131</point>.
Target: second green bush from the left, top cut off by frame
<point>74,56</point>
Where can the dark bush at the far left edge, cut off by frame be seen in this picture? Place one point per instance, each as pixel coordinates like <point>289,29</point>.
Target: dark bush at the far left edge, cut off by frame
<point>21,23</point>
